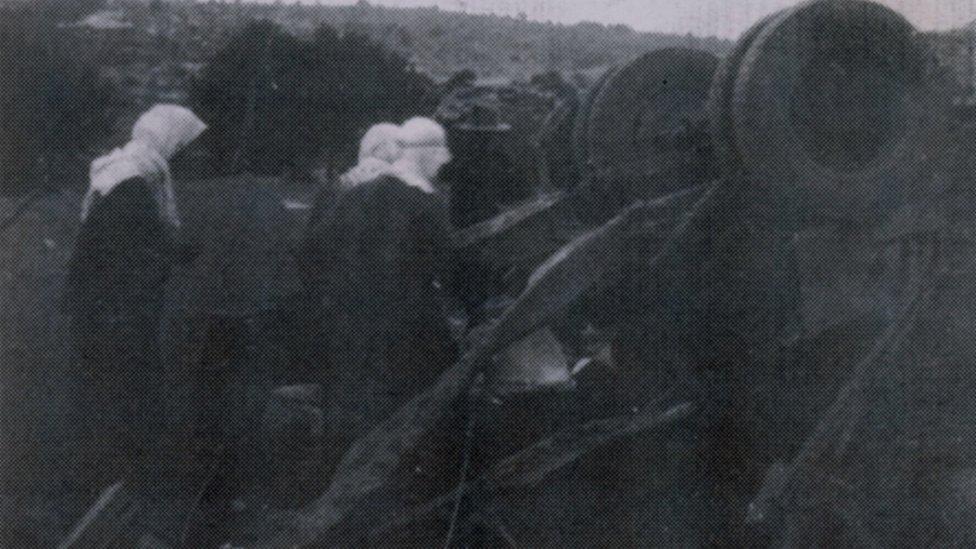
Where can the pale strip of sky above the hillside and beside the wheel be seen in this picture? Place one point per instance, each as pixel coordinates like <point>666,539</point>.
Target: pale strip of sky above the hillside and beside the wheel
<point>725,18</point>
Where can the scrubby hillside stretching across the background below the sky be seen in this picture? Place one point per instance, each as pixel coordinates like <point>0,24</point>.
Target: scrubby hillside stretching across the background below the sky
<point>150,51</point>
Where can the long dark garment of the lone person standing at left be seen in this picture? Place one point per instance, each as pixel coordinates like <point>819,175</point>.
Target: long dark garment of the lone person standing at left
<point>114,294</point>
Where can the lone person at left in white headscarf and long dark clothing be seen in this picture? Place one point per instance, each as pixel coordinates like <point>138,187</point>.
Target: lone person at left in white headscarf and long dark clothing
<point>115,287</point>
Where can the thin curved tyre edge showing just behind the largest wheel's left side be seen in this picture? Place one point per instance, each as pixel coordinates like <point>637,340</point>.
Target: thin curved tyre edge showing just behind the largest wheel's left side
<point>720,99</point>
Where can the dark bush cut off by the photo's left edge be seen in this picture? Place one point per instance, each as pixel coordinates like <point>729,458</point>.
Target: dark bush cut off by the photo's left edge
<point>53,106</point>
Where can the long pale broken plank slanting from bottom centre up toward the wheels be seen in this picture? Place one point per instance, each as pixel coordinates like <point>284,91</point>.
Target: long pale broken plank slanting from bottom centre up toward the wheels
<point>588,262</point>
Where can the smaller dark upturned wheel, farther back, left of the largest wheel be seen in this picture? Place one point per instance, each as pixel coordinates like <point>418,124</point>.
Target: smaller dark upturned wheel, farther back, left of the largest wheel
<point>643,110</point>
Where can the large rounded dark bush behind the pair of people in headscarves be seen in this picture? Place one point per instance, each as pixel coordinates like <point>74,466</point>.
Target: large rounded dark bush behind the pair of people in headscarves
<point>276,103</point>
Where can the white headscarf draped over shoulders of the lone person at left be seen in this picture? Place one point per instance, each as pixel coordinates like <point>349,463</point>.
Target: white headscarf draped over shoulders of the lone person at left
<point>158,135</point>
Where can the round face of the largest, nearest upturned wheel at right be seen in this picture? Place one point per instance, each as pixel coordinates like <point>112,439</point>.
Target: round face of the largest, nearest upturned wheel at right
<point>832,105</point>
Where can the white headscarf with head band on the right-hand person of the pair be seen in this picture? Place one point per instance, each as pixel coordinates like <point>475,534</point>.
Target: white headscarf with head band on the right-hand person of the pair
<point>425,151</point>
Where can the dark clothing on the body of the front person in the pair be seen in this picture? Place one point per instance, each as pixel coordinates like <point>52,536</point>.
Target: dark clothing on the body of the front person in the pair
<point>382,254</point>
